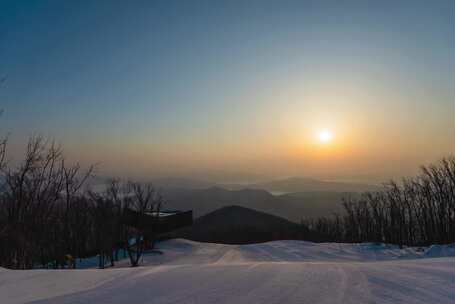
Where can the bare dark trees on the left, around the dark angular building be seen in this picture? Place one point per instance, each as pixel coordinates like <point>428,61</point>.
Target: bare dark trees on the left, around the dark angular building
<point>48,220</point>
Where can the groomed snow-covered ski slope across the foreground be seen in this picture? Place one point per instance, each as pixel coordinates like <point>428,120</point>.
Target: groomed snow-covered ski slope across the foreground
<point>275,272</point>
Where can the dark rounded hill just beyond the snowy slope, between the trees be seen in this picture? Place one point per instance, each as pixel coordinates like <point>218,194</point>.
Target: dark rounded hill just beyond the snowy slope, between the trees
<point>239,225</point>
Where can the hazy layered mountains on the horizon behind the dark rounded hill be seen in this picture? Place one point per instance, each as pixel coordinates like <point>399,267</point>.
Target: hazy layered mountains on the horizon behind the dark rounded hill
<point>291,198</point>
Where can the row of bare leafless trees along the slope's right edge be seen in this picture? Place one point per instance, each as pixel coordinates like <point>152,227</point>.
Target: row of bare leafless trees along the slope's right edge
<point>418,211</point>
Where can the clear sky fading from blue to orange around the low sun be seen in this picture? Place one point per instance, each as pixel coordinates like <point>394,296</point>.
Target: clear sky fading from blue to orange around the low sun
<point>184,88</point>
